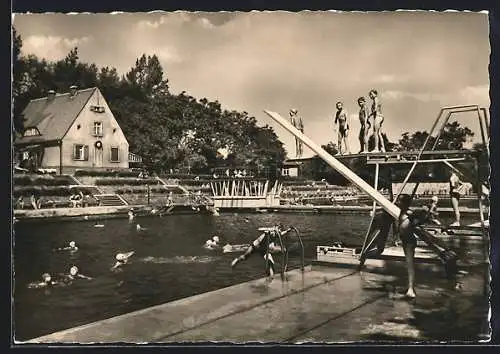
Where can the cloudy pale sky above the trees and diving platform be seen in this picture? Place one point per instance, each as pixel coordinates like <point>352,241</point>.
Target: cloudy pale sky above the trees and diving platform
<point>418,61</point>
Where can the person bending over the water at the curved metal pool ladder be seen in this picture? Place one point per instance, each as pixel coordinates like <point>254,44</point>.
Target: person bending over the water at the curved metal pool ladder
<point>259,245</point>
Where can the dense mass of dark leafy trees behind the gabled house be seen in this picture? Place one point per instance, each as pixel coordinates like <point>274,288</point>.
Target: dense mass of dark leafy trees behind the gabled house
<point>170,131</point>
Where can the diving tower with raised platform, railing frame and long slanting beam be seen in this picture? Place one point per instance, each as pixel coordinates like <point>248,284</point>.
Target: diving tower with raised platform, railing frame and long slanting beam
<point>377,234</point>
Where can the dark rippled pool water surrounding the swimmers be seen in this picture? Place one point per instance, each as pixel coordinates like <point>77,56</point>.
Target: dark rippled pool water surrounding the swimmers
<point>169,262</point>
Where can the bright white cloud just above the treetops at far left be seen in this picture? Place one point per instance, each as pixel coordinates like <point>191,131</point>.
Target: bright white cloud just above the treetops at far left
<point>52,47</point>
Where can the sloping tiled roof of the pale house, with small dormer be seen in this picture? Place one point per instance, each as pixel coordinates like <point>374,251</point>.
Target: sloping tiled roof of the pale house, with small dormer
<point>54,117</point>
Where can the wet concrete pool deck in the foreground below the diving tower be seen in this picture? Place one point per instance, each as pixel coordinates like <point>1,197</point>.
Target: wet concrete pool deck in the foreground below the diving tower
<point>321,304</point>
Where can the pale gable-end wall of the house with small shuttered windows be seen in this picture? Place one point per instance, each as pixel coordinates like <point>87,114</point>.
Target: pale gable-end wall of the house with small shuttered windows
<point>82,132</point>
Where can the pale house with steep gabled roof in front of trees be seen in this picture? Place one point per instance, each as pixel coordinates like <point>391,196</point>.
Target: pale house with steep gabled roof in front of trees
<point>70,131</point>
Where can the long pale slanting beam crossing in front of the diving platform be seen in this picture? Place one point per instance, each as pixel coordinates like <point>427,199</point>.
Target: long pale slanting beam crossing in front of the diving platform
<point>388,206</point>
